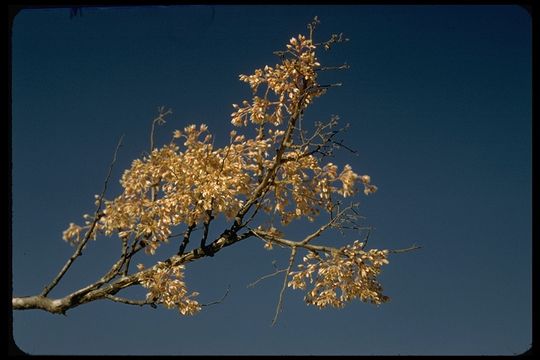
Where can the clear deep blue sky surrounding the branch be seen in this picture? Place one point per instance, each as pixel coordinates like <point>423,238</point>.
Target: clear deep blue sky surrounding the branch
<point>439,102</point>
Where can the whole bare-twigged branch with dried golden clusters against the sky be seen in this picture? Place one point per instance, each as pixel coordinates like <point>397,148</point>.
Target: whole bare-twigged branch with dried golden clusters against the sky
<point>280,170</point>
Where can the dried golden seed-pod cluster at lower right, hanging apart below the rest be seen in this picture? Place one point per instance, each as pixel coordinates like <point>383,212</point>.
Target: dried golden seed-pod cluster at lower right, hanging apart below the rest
<point>347,274</point>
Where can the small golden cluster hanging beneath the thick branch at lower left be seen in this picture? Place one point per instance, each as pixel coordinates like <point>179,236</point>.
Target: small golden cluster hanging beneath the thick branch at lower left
<point>166,285</point>
